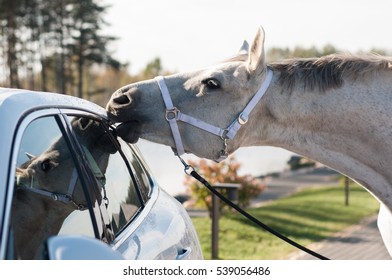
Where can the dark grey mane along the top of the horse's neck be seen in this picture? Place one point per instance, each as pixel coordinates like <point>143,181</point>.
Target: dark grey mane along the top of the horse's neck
<point>328,72</point>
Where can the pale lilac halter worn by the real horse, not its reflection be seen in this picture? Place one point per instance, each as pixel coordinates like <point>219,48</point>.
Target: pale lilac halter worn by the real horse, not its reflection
<point>173,114</point>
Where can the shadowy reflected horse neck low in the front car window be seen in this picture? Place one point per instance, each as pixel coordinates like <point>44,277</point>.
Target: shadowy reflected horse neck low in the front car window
<point>34,220</point>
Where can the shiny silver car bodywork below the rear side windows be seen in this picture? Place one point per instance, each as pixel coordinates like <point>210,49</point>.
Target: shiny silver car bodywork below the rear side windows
<point>176,233</point>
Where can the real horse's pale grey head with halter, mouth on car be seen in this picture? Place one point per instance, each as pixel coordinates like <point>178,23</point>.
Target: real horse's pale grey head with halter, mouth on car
<point>213,98</point>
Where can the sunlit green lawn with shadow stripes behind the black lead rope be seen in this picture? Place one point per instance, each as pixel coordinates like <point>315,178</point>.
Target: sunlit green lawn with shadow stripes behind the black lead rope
<point>306,217</point>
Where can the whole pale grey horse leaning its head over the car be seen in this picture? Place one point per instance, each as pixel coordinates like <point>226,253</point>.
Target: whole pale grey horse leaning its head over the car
<point>335,109</point>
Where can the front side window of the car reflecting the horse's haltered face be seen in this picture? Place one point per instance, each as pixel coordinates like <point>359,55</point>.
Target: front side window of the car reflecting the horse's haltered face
<point>48,197</point>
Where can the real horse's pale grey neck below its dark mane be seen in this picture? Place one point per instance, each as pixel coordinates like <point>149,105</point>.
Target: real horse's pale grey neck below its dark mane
<point>348,129</point>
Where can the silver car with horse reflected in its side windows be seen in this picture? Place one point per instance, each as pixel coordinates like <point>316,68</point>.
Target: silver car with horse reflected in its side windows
<point>71,189</point>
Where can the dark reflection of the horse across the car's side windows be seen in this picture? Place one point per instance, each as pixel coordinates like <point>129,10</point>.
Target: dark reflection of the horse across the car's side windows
<point>48,188</point>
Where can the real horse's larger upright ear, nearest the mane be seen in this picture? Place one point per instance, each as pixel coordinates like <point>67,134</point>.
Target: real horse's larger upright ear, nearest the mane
<point>256,58</point>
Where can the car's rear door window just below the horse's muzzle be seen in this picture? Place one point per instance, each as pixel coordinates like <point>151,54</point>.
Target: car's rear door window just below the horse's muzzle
<point>112,171</point>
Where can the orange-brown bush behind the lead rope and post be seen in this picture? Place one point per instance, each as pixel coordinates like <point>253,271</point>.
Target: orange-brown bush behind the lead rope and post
<point>224,172</point>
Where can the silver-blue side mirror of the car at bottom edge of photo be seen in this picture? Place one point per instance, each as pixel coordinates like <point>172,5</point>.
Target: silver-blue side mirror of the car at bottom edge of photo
<point>69,247</point>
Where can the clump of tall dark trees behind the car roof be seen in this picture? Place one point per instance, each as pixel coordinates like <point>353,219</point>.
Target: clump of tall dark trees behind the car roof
<point>53,42</point>
